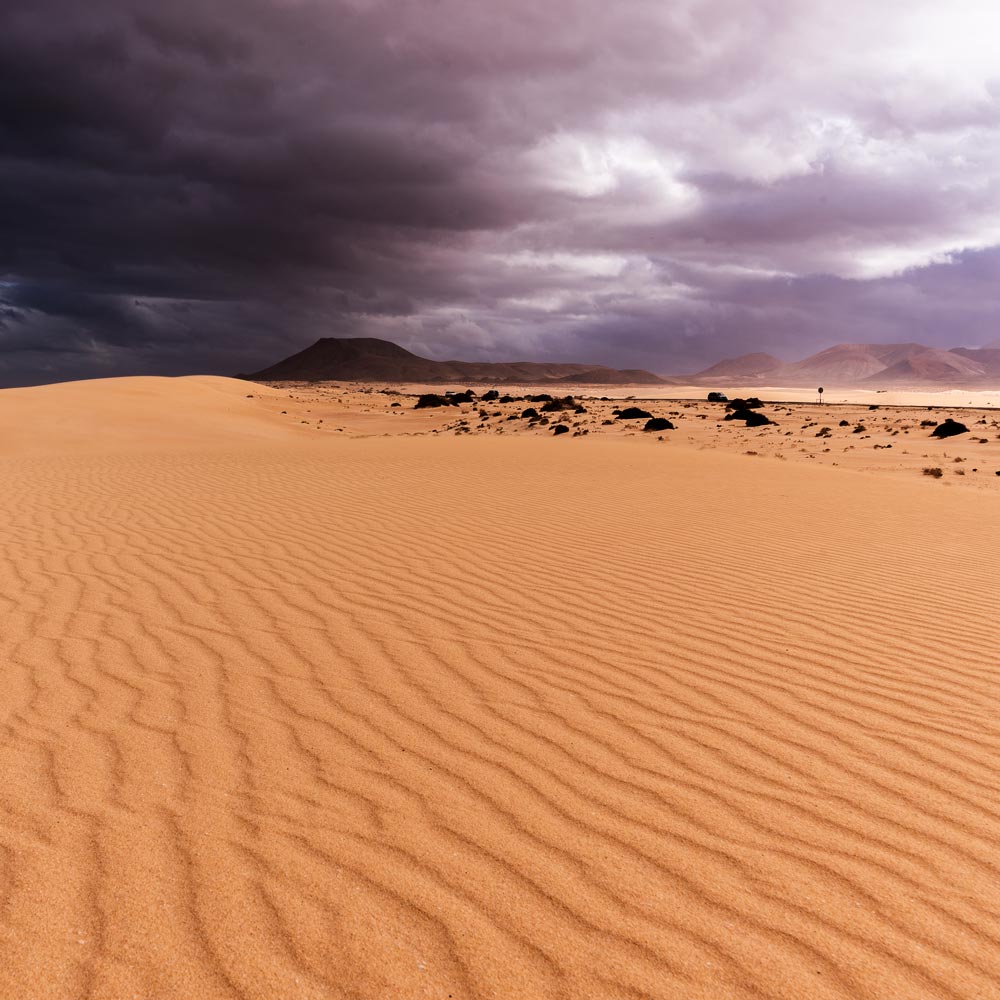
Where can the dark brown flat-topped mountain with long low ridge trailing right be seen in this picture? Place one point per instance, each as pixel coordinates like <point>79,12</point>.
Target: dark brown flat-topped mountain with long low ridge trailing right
<point>365,359</point>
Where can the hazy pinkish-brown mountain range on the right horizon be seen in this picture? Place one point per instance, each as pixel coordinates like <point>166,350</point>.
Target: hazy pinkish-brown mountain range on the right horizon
<point>872,365</point>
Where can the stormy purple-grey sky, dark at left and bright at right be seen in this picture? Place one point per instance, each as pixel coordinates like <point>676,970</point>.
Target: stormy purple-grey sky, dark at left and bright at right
<point>193,187</point>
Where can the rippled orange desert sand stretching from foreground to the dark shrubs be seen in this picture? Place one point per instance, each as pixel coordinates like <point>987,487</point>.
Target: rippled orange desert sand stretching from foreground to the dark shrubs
<point>310,696</point>
